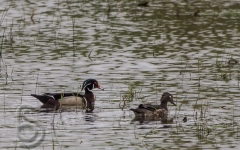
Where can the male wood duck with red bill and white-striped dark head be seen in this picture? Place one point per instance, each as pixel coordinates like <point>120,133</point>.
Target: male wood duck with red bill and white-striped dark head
<point>55,100</point>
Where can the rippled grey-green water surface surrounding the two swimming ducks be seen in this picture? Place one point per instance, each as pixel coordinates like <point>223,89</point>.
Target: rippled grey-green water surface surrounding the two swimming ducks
<point>149,47</point>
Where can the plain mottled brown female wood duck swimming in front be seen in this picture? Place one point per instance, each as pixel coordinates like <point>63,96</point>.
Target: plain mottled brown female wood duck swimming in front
<point>154,110</point>
